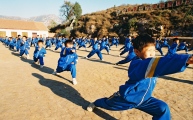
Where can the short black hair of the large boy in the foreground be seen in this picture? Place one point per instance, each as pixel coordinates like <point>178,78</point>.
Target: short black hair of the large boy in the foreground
<point>142,41</point>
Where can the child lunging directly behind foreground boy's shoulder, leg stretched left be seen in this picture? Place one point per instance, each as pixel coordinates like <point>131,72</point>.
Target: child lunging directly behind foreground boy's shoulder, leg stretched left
<point>131,55</point>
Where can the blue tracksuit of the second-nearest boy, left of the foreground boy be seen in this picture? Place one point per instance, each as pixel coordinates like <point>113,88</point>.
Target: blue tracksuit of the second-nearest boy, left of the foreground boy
<point>67,61</point>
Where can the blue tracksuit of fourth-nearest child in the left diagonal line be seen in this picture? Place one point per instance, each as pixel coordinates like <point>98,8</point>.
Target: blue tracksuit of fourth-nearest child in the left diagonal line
<point>24,47</point>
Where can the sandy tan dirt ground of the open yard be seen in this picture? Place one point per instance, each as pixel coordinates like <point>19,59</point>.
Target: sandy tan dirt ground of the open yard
<point>30,93</point>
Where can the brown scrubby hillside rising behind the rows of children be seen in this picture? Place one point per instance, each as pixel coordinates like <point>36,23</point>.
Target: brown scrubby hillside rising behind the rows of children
<point>114,21</point>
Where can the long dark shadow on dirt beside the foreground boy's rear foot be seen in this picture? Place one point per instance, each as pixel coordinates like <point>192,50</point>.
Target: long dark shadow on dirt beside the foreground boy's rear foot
<point>65,91</point>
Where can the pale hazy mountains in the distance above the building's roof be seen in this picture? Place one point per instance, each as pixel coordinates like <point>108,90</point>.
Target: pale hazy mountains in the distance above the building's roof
<point>43,18</point>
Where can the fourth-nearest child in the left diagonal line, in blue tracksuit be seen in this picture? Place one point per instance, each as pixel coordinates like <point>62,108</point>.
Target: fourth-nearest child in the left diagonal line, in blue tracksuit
<point>24,47</point>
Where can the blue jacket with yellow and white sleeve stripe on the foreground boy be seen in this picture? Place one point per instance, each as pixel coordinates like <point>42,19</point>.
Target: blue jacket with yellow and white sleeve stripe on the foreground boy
<point>143,74</point>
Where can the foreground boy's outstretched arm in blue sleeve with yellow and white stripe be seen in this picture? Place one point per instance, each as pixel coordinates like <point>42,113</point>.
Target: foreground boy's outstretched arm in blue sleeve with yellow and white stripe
<point>155,67</point>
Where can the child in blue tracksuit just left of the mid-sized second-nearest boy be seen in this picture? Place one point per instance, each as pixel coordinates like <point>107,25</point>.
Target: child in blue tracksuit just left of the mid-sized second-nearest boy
<point>39,53</point>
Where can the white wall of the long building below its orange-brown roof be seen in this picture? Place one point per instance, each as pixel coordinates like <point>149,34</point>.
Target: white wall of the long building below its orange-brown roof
<point>19,32</point>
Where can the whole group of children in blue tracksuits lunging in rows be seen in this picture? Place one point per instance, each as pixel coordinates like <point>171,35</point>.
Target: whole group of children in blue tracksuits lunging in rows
<point>143,70</point>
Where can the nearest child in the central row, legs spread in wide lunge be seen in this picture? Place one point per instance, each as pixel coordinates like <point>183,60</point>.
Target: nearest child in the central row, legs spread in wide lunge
<point>95,50</point>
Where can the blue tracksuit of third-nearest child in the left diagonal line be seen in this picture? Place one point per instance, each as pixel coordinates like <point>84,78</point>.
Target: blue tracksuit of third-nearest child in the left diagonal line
<point>39,54</point>
